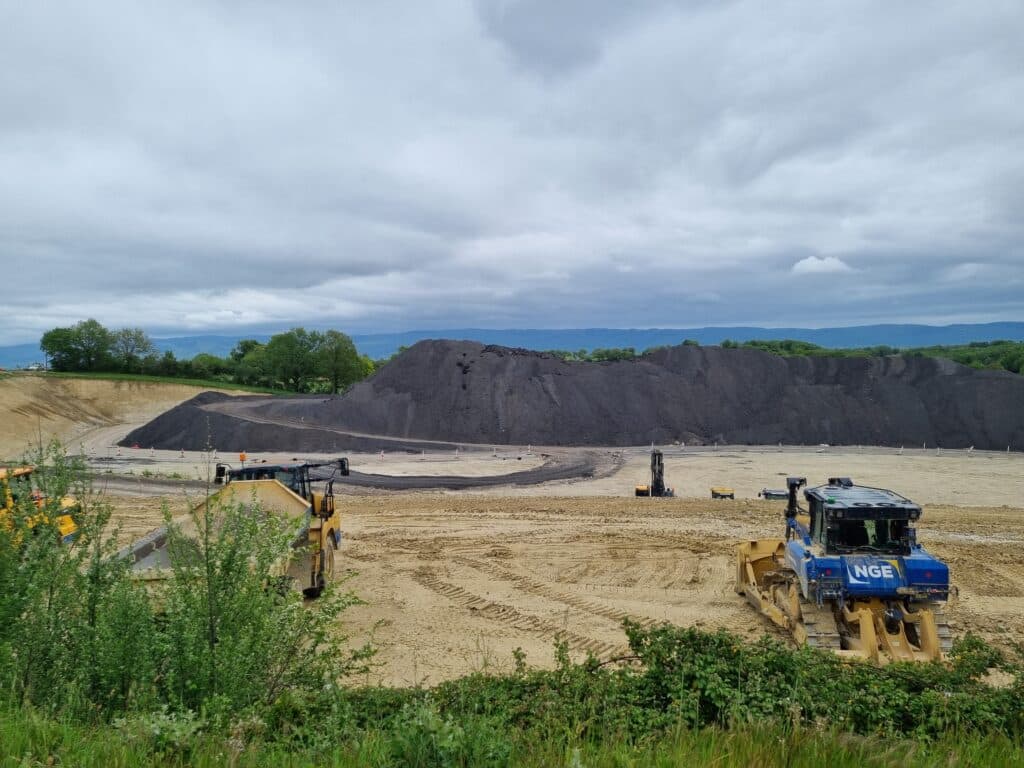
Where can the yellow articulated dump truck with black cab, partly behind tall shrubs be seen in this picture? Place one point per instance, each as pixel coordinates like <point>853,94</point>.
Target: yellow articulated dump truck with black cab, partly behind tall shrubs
<point>298,492</point>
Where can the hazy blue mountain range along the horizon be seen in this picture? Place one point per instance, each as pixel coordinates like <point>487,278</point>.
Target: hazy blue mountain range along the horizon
<point>385,346</point>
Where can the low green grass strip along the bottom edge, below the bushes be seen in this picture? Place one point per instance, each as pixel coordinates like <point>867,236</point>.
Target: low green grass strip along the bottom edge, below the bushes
<point>31,739</point>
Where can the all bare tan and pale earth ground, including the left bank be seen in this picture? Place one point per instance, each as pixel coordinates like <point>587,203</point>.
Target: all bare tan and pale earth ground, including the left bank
<point>455,581</point>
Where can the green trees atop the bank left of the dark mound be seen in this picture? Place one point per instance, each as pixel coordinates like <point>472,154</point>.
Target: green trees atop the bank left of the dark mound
<point>297,361</point>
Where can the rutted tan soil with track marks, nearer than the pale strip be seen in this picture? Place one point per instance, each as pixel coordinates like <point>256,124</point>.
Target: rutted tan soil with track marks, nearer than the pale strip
<point>455,583</point>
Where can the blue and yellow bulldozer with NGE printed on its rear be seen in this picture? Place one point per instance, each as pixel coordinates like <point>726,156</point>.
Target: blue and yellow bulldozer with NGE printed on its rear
<point>850,576</point>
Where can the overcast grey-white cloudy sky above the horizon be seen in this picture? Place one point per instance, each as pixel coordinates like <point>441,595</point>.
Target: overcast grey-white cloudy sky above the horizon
<point>234,166</point>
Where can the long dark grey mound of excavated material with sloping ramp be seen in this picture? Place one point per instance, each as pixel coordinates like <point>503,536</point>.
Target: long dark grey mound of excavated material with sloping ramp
<point>442,393</point>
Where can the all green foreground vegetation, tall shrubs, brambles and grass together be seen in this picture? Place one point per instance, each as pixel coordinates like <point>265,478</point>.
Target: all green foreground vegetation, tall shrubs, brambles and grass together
<point>223,664</point>
